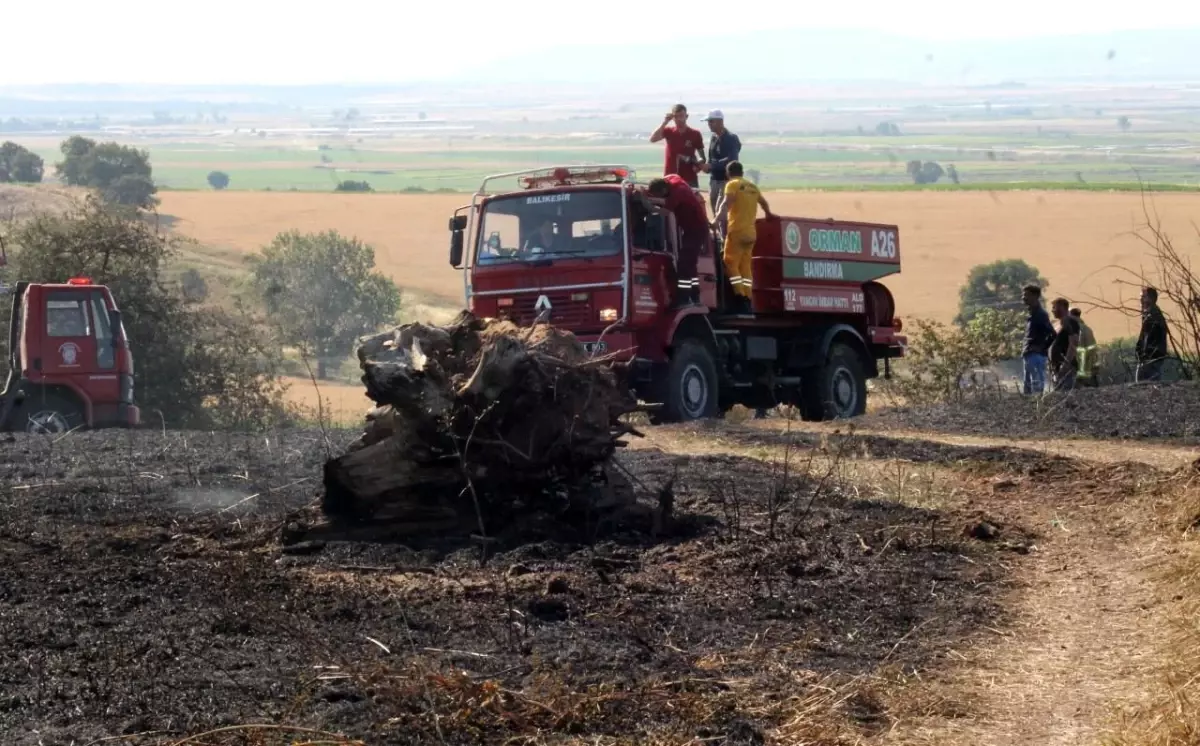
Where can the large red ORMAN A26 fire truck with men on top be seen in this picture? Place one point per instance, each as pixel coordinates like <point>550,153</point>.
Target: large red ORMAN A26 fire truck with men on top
<point>586,249</point>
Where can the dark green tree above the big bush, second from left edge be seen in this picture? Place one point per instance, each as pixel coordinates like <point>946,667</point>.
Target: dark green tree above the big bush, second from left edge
<point>122,175</point>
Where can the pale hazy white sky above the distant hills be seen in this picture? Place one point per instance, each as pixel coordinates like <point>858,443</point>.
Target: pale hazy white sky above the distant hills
<point>364,41</point>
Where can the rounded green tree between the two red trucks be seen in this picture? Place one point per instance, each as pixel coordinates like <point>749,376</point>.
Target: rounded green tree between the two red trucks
<point>323,293</point>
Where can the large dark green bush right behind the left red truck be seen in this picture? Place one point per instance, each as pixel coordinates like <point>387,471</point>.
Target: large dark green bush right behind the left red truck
<point>200,368</point>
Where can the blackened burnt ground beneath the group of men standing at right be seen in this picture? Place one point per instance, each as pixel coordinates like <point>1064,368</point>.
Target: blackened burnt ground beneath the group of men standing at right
<point>1136,412</point>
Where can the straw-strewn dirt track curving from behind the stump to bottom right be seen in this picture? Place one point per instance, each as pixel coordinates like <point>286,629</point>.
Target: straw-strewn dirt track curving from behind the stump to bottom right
<point>1085,615</point>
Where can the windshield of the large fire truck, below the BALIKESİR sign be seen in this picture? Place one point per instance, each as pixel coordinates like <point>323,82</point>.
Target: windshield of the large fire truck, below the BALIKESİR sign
<point>562,225</point>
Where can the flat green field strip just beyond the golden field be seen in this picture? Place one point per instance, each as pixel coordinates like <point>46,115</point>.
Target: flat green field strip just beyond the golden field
<point>782,165</point>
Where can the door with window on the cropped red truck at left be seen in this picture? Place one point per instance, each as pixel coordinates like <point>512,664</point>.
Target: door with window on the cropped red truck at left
<point>69,348</point>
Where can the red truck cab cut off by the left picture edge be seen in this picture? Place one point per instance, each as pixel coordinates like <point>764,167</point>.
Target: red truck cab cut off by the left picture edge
<point>69,360</point>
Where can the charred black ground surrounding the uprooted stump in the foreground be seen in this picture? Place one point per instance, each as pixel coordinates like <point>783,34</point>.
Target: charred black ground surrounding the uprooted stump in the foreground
<point>146,593</point>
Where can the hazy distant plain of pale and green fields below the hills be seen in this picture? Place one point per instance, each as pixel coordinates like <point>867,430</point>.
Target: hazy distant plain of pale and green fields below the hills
<point>1061,137</point>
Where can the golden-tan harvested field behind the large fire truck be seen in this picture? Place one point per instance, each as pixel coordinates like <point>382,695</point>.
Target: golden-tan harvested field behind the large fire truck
<point>1071,237</point>
